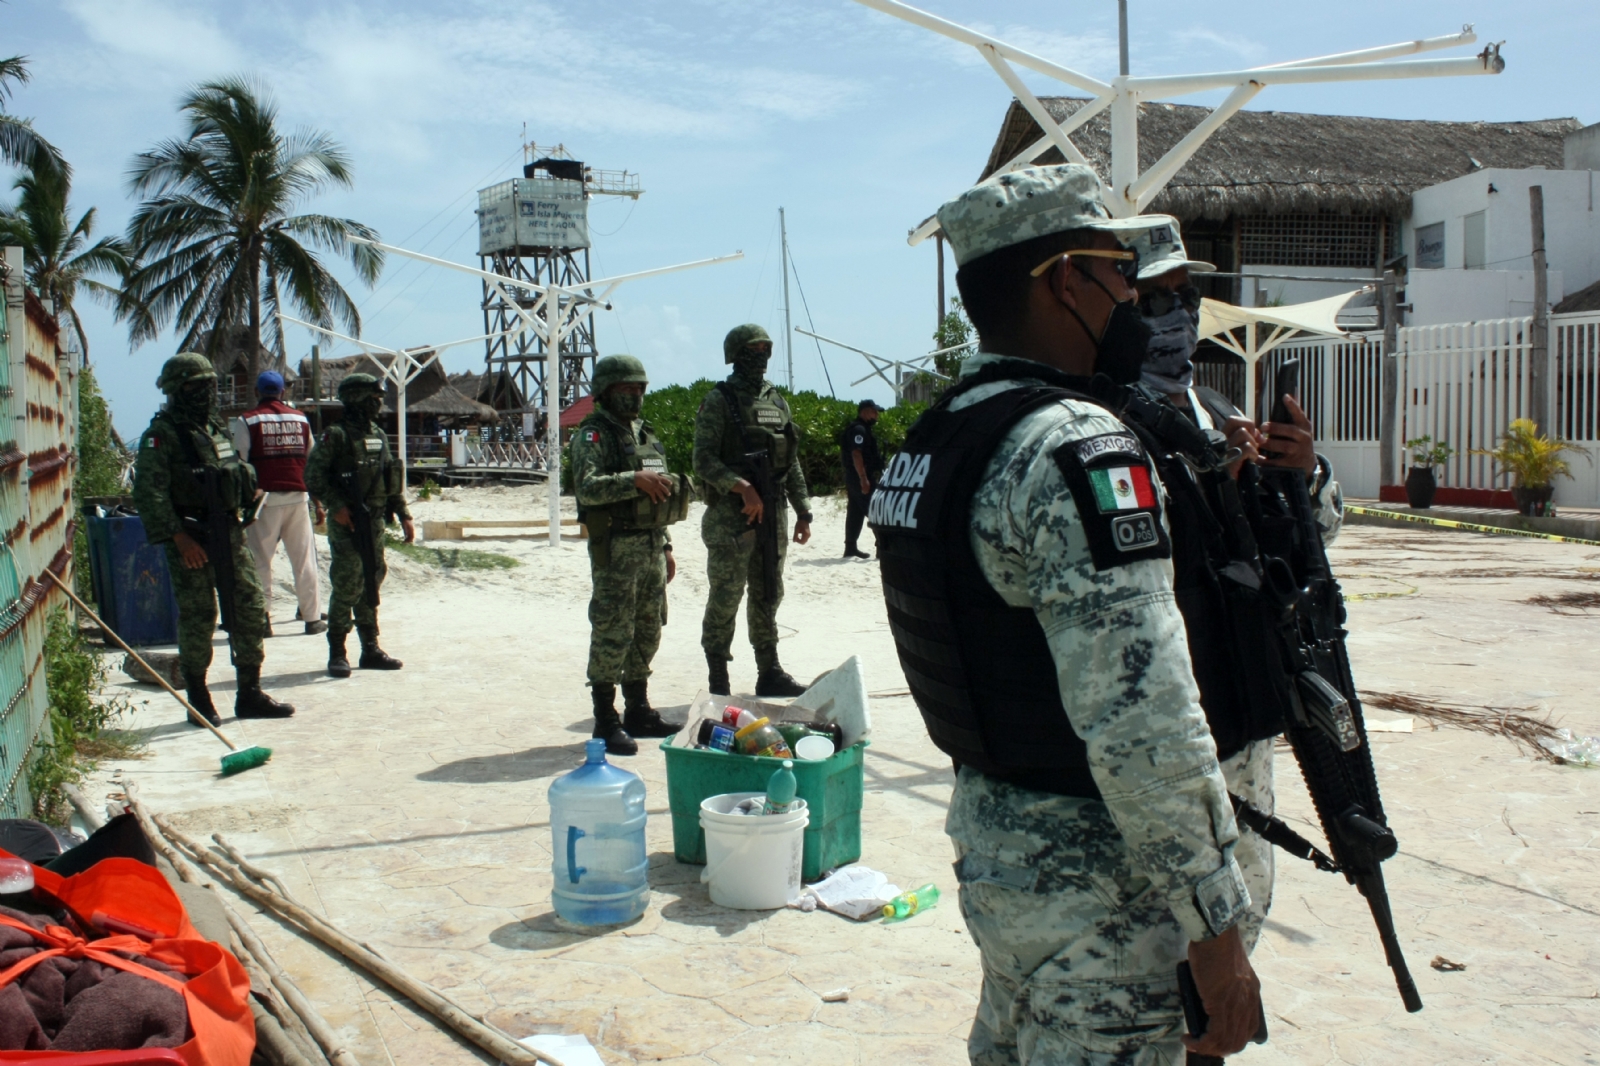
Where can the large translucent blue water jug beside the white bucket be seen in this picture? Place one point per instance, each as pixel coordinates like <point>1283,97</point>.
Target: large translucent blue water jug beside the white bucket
<point>598,822</point>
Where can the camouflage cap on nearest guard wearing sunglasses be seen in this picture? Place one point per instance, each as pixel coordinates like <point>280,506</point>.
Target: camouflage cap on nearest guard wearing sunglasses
<point>1031,202</point>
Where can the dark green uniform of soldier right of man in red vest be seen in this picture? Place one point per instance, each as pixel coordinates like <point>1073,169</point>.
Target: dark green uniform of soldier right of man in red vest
<point>353,447</point>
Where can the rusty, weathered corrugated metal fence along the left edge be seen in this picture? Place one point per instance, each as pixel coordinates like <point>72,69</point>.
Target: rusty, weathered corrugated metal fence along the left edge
<point>38,462</point>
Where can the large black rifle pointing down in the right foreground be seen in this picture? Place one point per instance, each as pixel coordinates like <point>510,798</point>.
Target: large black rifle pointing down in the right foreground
<point>1327,731</point>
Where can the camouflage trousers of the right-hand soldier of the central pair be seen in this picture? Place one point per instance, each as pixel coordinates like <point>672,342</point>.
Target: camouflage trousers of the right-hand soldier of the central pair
<point>734,564</point>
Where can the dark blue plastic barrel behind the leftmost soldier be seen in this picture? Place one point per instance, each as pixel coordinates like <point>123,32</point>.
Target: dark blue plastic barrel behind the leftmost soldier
<point>132,585</point>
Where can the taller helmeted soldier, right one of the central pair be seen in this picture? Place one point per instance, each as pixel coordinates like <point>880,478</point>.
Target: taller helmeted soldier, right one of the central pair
<point>740,417</point>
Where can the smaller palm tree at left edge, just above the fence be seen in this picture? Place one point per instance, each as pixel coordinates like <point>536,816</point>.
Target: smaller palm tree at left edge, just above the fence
<point>58,252</point>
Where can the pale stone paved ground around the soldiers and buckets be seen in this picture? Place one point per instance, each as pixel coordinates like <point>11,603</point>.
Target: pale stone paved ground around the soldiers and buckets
<point>410,809</point>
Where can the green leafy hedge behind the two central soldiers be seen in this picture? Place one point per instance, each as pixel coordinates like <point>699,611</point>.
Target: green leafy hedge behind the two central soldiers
<point>820,419</point>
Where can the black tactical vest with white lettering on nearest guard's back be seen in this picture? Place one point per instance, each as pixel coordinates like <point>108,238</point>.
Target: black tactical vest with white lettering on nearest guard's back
<point>978,668</point>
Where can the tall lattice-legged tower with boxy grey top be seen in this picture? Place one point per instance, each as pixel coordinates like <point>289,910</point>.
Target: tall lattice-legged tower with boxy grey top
<point>537,228</point>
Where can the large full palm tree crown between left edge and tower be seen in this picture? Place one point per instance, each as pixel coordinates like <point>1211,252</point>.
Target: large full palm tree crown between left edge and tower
<point>215,239</point>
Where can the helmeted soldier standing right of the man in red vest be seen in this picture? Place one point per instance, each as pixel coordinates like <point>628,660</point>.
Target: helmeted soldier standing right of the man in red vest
<point>348,468</point>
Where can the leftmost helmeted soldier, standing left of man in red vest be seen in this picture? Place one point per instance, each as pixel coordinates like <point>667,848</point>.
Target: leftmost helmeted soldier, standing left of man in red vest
<point>186,441</point>
